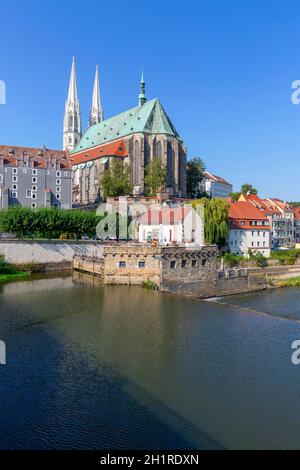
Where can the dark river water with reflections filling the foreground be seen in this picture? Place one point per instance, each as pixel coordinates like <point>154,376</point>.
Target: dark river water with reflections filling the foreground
<point>119,367</point>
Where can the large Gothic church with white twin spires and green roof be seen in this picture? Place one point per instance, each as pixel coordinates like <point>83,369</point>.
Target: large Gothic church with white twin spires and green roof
<point>137,136</point>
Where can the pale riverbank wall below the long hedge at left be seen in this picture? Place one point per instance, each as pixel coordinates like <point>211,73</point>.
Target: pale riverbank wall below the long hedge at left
<point>46,252</point>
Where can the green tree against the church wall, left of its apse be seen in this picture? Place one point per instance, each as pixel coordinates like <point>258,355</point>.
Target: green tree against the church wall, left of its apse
<point>116,180</point>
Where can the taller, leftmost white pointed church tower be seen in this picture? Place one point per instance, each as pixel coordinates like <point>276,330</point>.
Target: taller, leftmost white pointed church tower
<point>72,120</point>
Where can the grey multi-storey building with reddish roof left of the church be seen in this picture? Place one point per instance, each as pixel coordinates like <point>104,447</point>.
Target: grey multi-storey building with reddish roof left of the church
<point>33,177</point>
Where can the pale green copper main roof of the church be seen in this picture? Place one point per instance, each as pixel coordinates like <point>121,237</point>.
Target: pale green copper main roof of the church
<point>150,118</point>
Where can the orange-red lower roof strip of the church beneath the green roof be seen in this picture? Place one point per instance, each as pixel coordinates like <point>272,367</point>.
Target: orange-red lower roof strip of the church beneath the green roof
<point>116,148</point>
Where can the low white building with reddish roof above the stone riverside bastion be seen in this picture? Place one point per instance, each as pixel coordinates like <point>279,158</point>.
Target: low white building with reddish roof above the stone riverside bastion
<point>172,225</point>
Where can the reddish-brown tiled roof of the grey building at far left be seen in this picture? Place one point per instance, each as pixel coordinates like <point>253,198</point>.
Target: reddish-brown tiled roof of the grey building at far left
<point>38,156</point>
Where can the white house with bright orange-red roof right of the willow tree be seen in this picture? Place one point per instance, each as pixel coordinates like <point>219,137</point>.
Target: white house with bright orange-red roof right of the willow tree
<point>249,229</point>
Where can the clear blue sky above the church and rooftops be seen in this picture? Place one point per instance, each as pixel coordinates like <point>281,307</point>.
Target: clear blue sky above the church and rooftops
<point>222,69</point>
